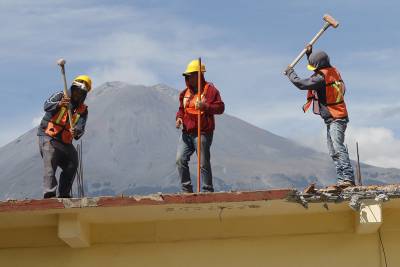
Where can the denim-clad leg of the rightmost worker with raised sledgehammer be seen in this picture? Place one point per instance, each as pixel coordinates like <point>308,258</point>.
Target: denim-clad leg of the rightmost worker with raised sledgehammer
<point>338,128</point>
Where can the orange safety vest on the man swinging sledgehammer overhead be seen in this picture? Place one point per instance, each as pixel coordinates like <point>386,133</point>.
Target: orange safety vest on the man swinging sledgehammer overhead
<point>335,90</point>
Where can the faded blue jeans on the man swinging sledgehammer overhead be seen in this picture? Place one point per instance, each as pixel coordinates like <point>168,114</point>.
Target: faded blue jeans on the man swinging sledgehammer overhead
<point>338,151</point>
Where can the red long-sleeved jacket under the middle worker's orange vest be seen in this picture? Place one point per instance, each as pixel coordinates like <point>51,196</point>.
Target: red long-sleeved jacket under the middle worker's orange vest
<point>214,105</point>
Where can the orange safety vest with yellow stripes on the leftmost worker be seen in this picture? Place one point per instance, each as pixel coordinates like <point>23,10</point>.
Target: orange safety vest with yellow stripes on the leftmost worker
<point>60,123</point>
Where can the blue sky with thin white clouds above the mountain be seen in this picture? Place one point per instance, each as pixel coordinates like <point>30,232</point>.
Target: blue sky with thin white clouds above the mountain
<point>244,44</point>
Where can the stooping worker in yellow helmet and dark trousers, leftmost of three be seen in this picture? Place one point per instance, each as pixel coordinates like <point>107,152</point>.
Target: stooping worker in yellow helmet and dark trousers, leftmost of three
<point>56,135</point>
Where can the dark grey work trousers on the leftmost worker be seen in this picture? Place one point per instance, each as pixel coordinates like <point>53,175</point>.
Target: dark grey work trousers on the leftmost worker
<point>57,154</point>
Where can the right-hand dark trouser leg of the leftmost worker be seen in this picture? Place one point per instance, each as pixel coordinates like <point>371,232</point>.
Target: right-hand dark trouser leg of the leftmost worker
<point>69,165</point>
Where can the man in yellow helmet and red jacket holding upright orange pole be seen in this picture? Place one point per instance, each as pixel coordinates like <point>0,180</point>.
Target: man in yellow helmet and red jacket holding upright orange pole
<point>209,105</point>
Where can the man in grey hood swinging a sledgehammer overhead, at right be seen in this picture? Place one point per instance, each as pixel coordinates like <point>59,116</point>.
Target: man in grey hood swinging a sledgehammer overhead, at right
<point>326,91</point>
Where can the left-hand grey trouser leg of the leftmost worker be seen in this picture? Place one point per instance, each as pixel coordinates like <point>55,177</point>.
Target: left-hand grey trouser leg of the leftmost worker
<point>50,159</point>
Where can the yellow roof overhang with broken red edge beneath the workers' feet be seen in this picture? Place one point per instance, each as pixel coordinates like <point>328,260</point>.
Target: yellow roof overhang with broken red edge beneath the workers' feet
<point>173,217</point>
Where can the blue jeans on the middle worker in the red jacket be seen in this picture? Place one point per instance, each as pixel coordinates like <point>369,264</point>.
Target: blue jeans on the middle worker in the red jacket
<point>186,147</point>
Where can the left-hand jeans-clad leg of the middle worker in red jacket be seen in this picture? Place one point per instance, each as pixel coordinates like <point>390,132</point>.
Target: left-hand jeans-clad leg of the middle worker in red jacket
<point>185,150</point>
